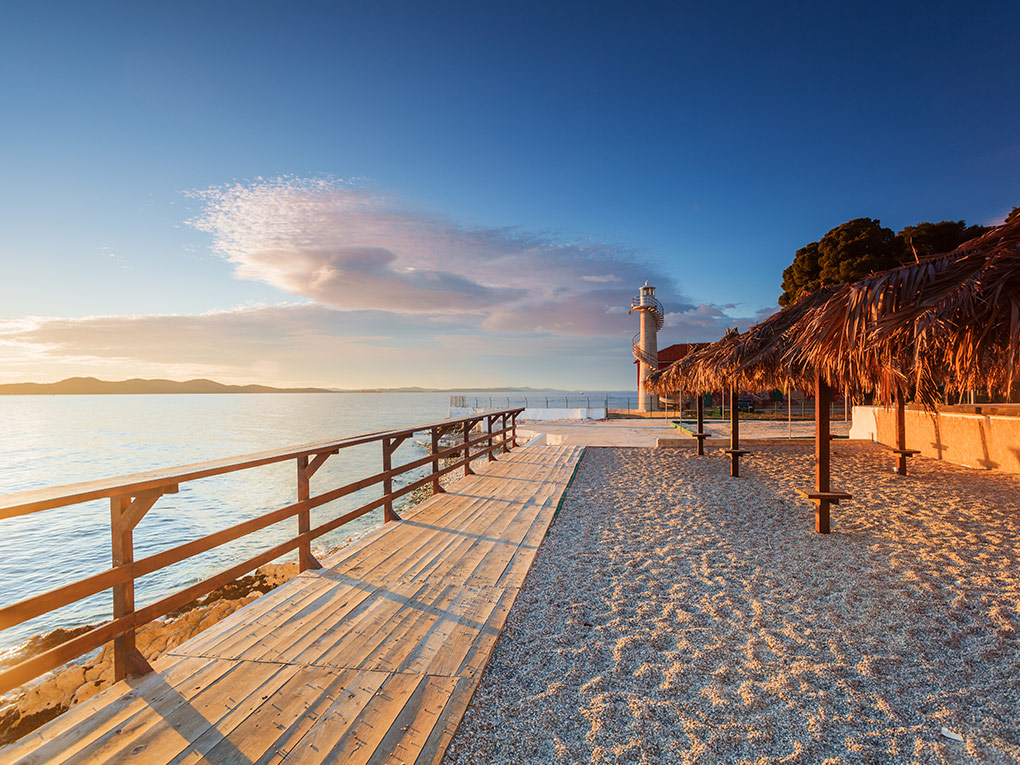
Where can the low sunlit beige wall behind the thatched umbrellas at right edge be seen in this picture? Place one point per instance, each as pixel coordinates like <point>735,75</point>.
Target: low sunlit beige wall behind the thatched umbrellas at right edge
<point>973,440</point>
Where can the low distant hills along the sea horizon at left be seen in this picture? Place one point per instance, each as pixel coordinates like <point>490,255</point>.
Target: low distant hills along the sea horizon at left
<point>91,386</point>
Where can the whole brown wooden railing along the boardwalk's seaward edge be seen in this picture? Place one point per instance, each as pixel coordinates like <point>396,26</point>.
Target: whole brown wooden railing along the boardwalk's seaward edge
<point>133,496</point>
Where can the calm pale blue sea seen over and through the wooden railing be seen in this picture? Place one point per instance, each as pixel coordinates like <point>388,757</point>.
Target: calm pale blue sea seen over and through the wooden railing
<point>48,441</point>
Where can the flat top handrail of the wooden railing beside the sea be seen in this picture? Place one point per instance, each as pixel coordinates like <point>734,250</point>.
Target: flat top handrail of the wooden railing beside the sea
<point>36,500</point>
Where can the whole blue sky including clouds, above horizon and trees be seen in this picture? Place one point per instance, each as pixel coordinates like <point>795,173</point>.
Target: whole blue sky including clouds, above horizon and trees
<point>377,194</point>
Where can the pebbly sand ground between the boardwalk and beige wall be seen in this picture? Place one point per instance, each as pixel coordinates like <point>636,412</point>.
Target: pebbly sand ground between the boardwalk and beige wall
<point>676,615</point>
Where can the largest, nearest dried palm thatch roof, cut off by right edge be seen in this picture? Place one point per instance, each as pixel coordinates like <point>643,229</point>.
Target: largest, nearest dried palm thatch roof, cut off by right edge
<point>952,319</point>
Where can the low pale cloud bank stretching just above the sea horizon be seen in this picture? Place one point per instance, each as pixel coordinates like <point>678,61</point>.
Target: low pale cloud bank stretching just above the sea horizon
<point>301,344</point>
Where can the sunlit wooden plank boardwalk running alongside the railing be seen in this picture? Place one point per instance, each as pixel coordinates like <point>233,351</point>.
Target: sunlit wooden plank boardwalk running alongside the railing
<point>373,658</point>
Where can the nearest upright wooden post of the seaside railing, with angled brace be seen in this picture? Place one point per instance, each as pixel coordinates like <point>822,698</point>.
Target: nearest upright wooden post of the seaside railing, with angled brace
<point>125,516</point>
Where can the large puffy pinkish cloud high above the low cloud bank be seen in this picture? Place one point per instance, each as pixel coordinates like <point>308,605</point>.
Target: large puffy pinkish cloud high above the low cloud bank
<point>349,247</point>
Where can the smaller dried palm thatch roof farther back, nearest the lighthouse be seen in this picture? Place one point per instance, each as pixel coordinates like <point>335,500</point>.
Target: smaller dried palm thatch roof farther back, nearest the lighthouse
<point>751,361</point>
